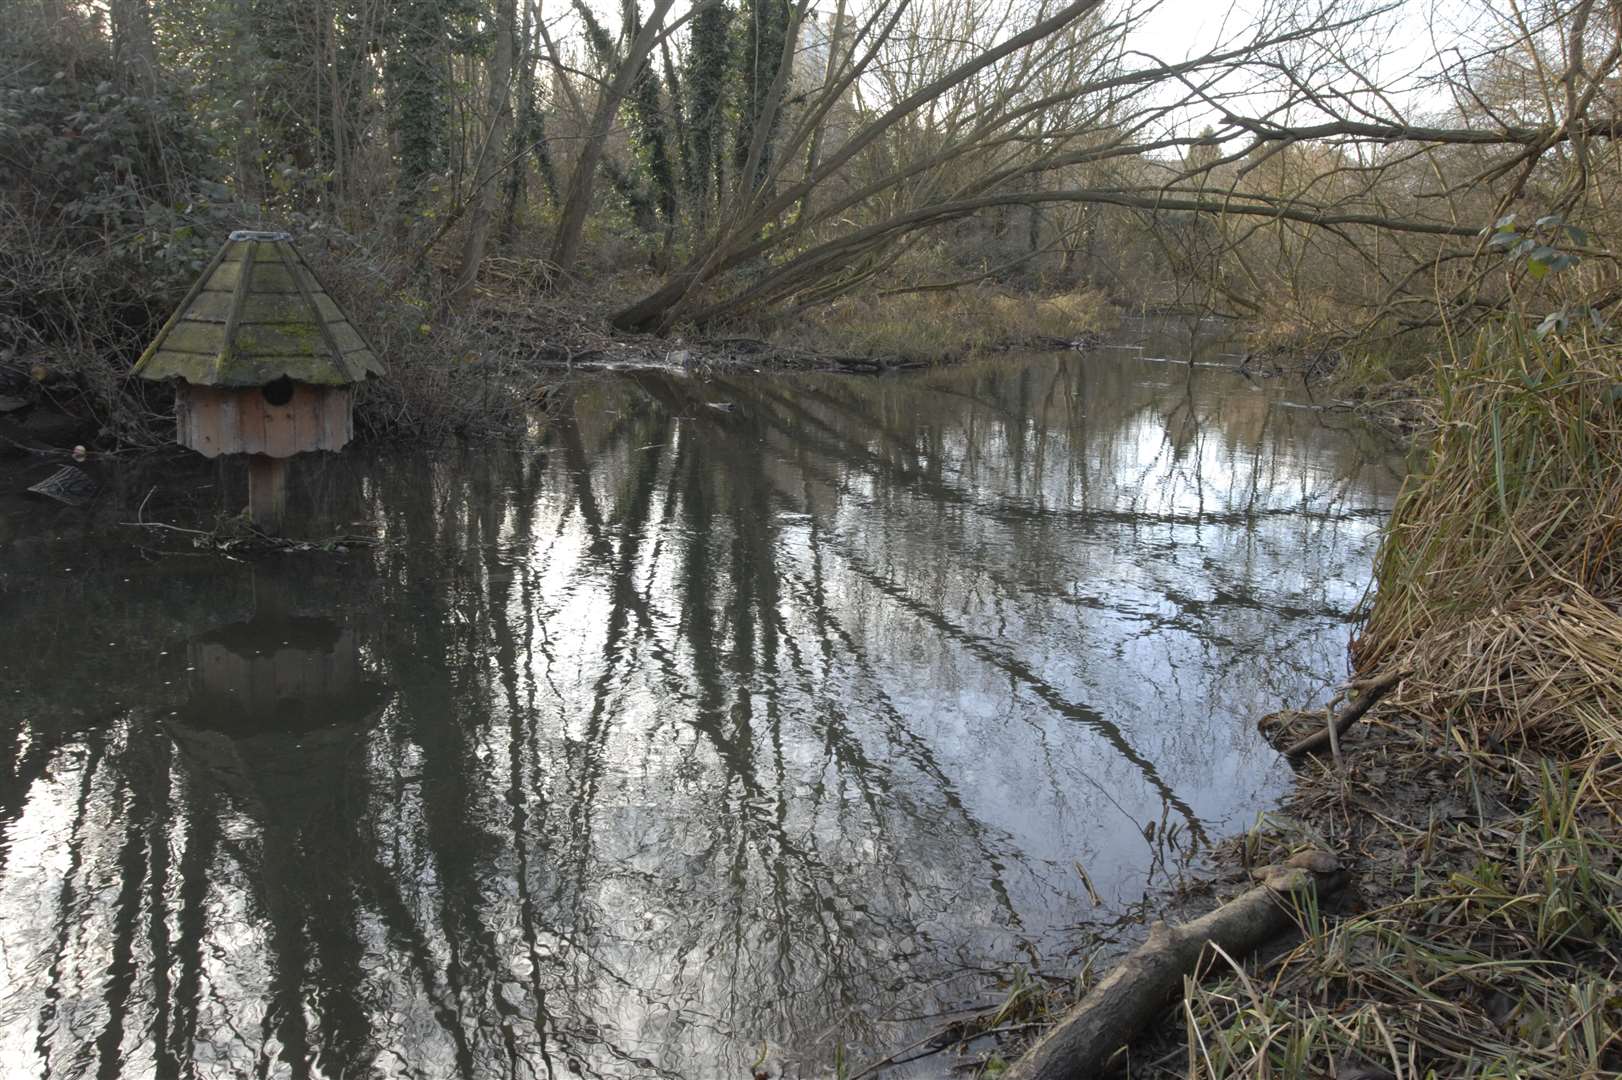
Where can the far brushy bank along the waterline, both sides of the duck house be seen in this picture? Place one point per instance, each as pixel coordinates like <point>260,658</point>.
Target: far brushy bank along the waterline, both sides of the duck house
<point>479,366</point>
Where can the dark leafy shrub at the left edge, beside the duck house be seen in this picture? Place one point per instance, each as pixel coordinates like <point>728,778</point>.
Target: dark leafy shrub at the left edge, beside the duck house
<point>111,208</point>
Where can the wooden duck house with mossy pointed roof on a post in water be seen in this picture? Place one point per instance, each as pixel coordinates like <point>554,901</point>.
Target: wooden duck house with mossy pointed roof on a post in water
<point>264,364</point>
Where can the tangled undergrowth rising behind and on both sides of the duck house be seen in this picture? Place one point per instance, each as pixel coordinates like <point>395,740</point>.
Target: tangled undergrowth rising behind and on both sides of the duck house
<point>113,204</point>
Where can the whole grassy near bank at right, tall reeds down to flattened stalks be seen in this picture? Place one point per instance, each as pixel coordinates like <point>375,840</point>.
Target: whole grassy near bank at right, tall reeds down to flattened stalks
<point>1483,808</point>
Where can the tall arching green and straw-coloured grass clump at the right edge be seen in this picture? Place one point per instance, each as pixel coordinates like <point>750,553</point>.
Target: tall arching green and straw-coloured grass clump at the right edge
<point>1500,580</point>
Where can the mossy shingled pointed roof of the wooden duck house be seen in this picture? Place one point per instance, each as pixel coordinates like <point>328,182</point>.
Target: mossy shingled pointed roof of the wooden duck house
<point>257,315</point>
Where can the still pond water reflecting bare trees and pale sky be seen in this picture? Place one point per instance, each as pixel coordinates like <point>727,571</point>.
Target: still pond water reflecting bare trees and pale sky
<point>726,711</point>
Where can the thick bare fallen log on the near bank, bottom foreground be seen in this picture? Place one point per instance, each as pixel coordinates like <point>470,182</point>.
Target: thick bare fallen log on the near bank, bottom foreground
<point>1089,1042</point>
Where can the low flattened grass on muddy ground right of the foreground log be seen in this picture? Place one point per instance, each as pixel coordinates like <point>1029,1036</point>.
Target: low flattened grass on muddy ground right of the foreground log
<point>1488,948</point>
